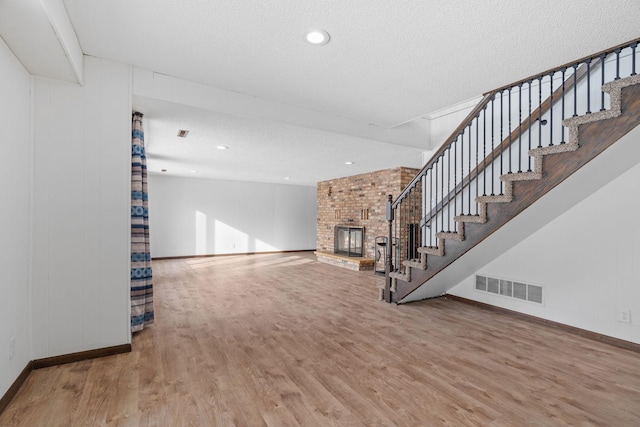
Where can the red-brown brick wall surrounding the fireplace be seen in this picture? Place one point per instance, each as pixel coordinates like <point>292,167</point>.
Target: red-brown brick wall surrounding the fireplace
<point>358,201</point>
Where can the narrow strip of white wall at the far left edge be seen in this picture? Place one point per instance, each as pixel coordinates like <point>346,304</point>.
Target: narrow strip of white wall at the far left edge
<point>16,167</point>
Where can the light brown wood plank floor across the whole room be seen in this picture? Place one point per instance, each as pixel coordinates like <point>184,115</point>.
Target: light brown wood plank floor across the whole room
<point>282,340</point>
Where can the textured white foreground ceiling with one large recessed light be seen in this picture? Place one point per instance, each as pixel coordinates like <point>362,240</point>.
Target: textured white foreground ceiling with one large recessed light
<point>388,61</point>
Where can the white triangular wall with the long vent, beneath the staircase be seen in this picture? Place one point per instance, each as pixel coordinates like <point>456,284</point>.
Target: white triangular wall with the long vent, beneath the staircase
<point>587,266</point>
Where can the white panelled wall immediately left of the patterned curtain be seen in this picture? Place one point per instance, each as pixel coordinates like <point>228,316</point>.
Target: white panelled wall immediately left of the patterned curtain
<point>81,211</point>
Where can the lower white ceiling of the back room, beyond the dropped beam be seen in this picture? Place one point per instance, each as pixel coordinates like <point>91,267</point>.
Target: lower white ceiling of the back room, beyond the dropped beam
<point>259,150</point>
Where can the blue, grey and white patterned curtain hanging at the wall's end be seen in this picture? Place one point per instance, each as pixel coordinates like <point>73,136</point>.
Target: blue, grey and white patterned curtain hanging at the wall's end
<point>141,283</point>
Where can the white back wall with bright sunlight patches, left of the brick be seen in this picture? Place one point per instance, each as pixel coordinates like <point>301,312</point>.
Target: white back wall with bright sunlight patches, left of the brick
<point>189,216</point>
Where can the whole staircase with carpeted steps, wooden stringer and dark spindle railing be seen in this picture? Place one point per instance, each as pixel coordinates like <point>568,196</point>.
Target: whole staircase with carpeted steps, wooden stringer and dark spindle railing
<point>472,186</point>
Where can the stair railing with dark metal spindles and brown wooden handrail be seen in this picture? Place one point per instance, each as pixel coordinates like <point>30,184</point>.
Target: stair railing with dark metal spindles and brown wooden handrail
<point>495,139</point>
